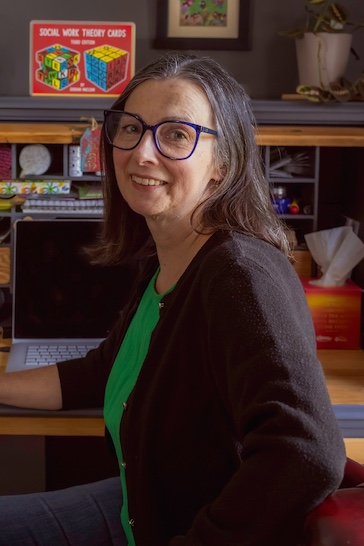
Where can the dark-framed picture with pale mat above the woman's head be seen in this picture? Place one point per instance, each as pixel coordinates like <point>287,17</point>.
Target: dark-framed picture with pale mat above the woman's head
<point>203,24</point>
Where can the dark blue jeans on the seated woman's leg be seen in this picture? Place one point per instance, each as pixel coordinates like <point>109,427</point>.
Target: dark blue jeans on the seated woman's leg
<point>87,515</point>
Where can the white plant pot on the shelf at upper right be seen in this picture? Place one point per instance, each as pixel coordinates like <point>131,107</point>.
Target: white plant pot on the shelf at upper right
<point>322,58</point>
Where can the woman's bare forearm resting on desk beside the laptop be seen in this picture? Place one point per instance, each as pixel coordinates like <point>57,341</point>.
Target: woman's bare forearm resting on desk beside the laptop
<point>37,389</point>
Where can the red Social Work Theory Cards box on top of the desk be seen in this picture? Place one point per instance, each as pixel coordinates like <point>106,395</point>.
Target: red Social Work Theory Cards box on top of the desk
<point>75,58</point>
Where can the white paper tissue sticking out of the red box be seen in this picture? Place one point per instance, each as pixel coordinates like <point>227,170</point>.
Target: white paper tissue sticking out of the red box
<point>336,251</point>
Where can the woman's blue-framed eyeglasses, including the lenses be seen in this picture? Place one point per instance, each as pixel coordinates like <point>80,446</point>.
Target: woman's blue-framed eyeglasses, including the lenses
<point>173,139</point>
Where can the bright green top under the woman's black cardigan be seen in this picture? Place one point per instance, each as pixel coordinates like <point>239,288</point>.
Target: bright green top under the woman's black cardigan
<point>123,377</point>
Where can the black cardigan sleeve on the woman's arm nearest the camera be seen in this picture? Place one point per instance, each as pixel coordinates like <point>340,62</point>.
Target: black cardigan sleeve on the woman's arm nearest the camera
<point>262,351</point>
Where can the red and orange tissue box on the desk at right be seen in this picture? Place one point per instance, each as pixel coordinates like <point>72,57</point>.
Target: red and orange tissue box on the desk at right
<point>336,314</point>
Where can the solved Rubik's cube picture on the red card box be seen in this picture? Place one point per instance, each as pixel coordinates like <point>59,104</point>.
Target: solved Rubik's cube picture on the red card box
<point>106,66</point>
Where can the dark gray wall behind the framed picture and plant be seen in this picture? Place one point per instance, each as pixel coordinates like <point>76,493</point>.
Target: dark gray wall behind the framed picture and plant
<point>267,71</point>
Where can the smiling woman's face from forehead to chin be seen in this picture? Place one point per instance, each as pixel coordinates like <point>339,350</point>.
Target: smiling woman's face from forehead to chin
<point>161,189</point>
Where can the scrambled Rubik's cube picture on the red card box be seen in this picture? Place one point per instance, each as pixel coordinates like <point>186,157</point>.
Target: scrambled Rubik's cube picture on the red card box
<point>58,66</point>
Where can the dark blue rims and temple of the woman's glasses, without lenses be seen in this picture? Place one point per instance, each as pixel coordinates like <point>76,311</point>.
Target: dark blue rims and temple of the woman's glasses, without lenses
<point>198,128</point>
